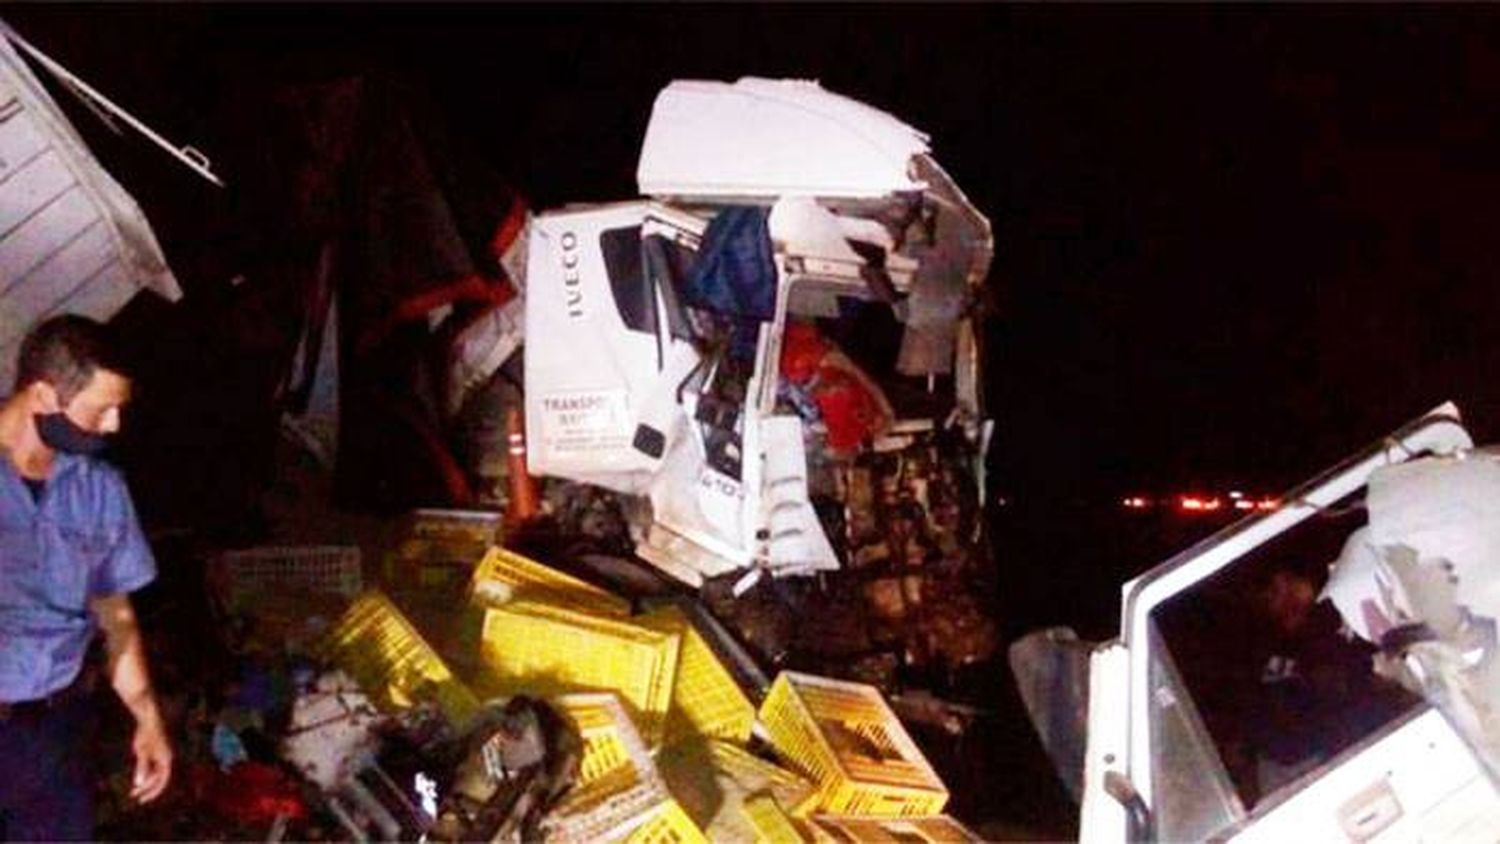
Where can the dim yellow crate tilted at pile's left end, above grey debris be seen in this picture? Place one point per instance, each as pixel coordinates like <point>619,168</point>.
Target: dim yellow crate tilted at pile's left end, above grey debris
<point>392,663</point>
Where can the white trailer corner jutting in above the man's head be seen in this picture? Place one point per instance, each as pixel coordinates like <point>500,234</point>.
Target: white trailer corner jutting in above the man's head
<point>71,239</point>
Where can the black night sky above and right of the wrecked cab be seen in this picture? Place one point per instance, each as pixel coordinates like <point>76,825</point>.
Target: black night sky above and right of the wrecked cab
<point>1232,244</point>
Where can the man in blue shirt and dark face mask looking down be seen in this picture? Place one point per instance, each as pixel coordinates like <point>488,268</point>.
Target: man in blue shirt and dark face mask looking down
<point>71,551</point>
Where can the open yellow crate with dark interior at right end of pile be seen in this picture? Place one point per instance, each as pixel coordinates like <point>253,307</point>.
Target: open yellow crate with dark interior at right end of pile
<point>845,738</point>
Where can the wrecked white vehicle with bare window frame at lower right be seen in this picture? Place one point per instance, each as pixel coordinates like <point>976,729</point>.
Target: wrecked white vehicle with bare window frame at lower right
<point>1418,582</point>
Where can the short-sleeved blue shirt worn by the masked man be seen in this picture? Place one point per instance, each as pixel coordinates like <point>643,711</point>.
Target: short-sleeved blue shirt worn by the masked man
<point>80,540</point>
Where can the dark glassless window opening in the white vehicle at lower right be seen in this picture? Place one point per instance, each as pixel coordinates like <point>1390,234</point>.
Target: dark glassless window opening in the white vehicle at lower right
<point>1277,680</point>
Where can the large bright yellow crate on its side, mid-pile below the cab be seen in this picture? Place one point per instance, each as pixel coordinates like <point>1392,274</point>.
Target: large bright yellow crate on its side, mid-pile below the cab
<point>548,650</point>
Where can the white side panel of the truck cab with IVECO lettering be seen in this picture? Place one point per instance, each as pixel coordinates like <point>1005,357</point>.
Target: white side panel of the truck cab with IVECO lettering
<point>599,337</point>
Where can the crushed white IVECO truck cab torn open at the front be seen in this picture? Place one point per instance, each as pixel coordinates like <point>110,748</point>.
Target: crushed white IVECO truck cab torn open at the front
<point>655,329</point>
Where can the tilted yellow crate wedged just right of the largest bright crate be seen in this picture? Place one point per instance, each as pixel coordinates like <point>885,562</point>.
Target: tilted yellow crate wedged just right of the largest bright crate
<point>706,698</point>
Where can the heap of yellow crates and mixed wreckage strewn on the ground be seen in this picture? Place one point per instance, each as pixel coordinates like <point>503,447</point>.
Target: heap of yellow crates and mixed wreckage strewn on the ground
<point>608,725</point>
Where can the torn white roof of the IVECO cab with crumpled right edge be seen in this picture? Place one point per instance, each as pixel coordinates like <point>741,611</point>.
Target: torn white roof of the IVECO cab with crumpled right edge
<point>860,208</point>
